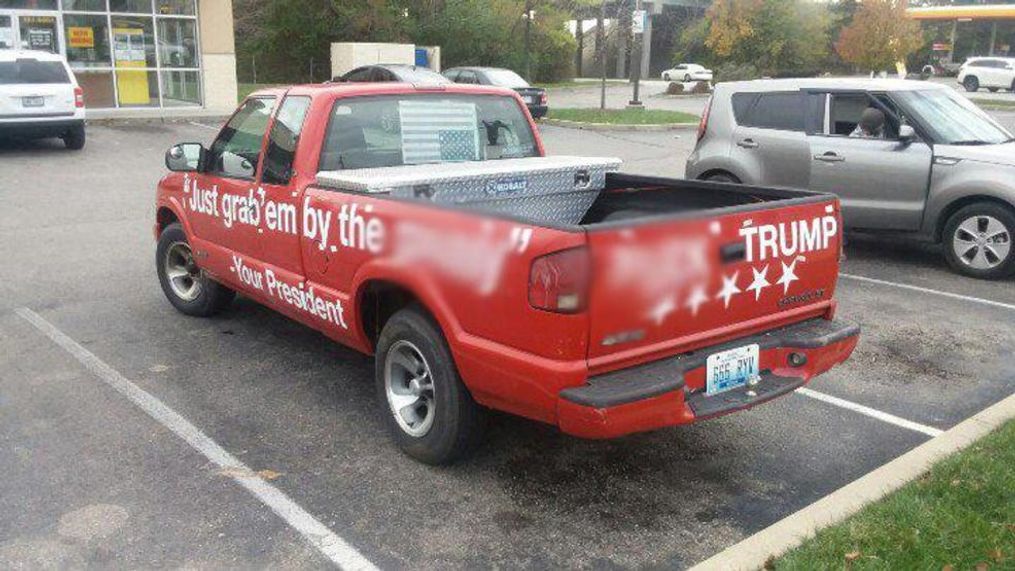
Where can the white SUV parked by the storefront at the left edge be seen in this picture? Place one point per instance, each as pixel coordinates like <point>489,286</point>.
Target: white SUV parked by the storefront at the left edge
<point>40,98</point>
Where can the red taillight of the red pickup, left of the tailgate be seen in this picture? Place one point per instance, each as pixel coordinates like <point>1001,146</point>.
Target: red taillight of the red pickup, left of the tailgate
<point>560,282</point>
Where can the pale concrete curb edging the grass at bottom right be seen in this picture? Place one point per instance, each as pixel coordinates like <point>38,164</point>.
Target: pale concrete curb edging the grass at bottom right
<point>754,552</point>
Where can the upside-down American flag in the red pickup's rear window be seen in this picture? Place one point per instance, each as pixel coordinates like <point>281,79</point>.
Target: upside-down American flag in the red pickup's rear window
<point>439,132</point>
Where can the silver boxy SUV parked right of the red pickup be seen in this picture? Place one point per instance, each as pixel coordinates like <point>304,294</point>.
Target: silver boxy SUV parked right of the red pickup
<point>939,170</point>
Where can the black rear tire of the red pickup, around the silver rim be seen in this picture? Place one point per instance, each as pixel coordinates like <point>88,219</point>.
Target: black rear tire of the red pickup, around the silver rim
<point>458,422</point>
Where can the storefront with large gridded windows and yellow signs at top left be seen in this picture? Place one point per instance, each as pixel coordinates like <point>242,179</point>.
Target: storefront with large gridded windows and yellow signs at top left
<point>134,57</point>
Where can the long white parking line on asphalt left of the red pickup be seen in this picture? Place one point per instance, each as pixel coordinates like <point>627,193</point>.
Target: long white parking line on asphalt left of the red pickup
<point>318,535</point>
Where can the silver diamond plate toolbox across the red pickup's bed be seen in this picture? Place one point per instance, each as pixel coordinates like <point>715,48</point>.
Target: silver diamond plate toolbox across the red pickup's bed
<point>555,189</point>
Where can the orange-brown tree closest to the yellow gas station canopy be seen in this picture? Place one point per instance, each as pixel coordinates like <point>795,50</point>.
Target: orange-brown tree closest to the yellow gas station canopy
<point>879,36</point>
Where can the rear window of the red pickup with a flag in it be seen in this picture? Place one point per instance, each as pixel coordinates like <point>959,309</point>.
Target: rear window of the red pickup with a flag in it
<point>395,130</point>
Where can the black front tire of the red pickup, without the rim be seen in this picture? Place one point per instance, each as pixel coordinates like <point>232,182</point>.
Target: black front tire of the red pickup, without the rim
<point>212,298</point>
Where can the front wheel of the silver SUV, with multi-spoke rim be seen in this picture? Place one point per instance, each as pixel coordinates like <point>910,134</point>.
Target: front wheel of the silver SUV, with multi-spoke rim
<point>978,241</point>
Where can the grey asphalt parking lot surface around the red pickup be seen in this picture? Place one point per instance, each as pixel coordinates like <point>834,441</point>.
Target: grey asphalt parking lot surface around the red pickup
<point>91,480</point>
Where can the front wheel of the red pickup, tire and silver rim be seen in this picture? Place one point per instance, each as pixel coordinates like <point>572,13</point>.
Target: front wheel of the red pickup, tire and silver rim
<point>187,288</point>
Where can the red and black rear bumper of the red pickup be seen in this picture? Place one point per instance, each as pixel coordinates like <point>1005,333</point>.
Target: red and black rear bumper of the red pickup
<point>671,392</point>
